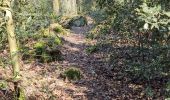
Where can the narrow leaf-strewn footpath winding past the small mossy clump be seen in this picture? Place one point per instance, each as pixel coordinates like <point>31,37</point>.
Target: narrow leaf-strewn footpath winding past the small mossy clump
<point>92,86</point>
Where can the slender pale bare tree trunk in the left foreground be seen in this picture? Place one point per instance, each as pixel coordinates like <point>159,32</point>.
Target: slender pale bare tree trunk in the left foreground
<point>6,7</point>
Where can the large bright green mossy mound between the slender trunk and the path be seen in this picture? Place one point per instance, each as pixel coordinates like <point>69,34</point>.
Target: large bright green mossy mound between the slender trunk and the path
<point>46,51</point>
